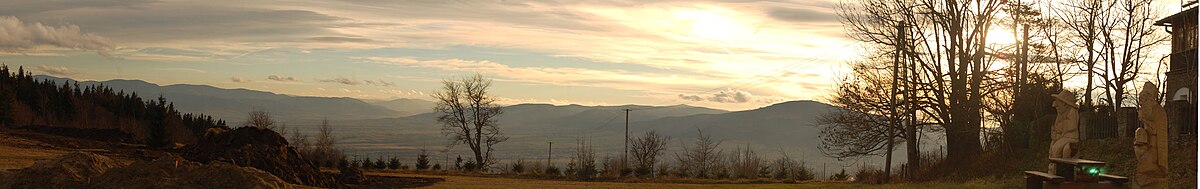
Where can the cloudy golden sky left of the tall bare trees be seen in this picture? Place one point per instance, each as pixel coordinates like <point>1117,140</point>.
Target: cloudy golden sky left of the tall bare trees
<point>731,56</point>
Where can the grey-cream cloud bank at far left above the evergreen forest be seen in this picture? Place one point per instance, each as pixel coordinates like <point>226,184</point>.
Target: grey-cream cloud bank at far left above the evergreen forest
<point>20,36</point>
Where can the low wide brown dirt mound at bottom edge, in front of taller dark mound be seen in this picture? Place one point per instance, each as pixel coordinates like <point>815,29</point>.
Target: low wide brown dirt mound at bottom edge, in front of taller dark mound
<point>179,173</point>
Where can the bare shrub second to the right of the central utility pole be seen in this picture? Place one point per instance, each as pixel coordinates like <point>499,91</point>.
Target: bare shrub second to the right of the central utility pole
<point>703,161</point>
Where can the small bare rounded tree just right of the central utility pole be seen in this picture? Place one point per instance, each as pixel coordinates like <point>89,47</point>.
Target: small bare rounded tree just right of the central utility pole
<point>647,150</point>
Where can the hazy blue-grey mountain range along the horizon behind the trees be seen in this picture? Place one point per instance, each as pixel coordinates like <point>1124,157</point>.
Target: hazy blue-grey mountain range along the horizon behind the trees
<point>400,127</point>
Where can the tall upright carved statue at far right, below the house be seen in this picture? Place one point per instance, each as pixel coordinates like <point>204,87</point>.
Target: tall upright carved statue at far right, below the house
<point>1150,142</point>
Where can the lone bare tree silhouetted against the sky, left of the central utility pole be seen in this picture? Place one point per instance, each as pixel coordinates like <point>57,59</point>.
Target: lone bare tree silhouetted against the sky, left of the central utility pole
<point>469,117</point>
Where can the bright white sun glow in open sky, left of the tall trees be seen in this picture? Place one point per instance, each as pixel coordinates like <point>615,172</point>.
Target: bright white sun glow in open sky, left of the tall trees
<point>712,25</point>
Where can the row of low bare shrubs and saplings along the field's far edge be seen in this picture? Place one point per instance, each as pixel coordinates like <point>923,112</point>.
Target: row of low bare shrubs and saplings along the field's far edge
<point>704,160</point>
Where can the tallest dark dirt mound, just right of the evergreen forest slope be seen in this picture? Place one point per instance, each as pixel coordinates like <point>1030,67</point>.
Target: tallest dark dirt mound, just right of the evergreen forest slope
<point>261,149</point>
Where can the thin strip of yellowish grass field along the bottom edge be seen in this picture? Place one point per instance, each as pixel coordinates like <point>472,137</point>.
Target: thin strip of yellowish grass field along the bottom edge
<point>519,184</point>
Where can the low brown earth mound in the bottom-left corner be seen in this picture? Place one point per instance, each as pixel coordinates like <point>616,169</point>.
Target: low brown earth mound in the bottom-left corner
<point>71,170</point>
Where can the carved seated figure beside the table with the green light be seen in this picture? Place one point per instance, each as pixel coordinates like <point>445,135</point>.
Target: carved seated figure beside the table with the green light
<point>1065,132</point>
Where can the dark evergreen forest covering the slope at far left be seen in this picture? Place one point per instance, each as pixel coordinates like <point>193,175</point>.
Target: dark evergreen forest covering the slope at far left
<point>31,103</point>
